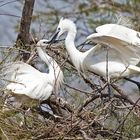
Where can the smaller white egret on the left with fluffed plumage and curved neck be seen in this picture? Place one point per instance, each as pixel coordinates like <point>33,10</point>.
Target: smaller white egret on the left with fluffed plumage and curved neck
<point>27,83</point>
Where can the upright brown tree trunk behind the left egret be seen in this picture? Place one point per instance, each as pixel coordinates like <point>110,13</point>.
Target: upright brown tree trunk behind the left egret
<point>23,37</point>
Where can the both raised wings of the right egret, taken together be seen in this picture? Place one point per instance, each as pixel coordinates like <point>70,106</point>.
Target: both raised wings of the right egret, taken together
<point>124,40</point>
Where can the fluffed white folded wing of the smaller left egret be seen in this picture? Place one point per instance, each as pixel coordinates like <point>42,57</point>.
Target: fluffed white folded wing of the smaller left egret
<point>26,80</point>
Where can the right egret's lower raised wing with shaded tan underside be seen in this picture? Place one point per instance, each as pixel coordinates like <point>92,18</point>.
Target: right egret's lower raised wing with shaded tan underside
<point>130,53</point>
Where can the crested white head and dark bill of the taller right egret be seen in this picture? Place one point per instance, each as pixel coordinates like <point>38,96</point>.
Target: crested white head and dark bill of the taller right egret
<point>65,25</point>
